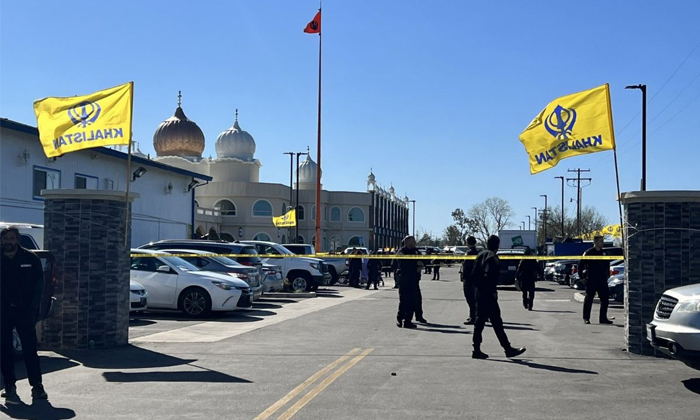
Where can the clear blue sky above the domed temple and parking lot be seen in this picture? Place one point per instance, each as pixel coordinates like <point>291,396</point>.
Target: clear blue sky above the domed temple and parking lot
<point>432,95</point>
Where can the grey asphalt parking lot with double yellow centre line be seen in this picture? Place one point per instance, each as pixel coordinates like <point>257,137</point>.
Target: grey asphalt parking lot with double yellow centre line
<point>340,356</point>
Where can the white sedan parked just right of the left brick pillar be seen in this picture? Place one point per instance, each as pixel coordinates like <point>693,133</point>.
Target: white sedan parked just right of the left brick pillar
<point>173,283</point>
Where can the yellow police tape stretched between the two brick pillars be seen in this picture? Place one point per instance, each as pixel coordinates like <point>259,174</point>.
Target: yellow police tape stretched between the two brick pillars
<point>389,256</point>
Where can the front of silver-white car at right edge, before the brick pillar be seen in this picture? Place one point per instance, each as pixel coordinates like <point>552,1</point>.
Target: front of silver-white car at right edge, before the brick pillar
<point>675,329</point>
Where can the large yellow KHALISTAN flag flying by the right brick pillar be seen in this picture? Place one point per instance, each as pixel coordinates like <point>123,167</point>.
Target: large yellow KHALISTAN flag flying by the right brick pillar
<point>570,126</point>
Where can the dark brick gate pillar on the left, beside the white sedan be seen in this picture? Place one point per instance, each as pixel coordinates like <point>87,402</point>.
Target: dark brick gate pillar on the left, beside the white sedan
<point>84,229</point>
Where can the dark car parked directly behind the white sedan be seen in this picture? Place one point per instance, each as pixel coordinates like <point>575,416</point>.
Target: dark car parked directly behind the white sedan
<point>207,262</point>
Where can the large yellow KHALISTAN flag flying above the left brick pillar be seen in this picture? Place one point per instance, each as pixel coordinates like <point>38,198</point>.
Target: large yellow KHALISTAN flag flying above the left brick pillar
<point>80,122</point>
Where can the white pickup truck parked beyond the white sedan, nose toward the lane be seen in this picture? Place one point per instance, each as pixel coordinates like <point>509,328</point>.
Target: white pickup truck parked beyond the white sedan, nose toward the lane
<point>303,274</point>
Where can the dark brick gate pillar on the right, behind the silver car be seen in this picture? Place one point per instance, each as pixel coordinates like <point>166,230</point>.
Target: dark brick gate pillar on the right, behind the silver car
<point>663,252</point>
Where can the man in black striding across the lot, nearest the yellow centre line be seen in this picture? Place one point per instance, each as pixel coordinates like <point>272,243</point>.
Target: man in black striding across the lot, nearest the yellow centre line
<point>485,278</point>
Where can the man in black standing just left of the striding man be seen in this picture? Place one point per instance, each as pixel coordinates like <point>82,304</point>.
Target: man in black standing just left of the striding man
<point>408,273</point>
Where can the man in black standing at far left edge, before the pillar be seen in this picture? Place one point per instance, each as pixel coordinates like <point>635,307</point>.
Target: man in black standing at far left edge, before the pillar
<point>22,285</point>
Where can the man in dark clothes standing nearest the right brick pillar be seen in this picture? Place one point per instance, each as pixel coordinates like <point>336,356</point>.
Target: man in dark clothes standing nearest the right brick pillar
<point>595,274</point>
